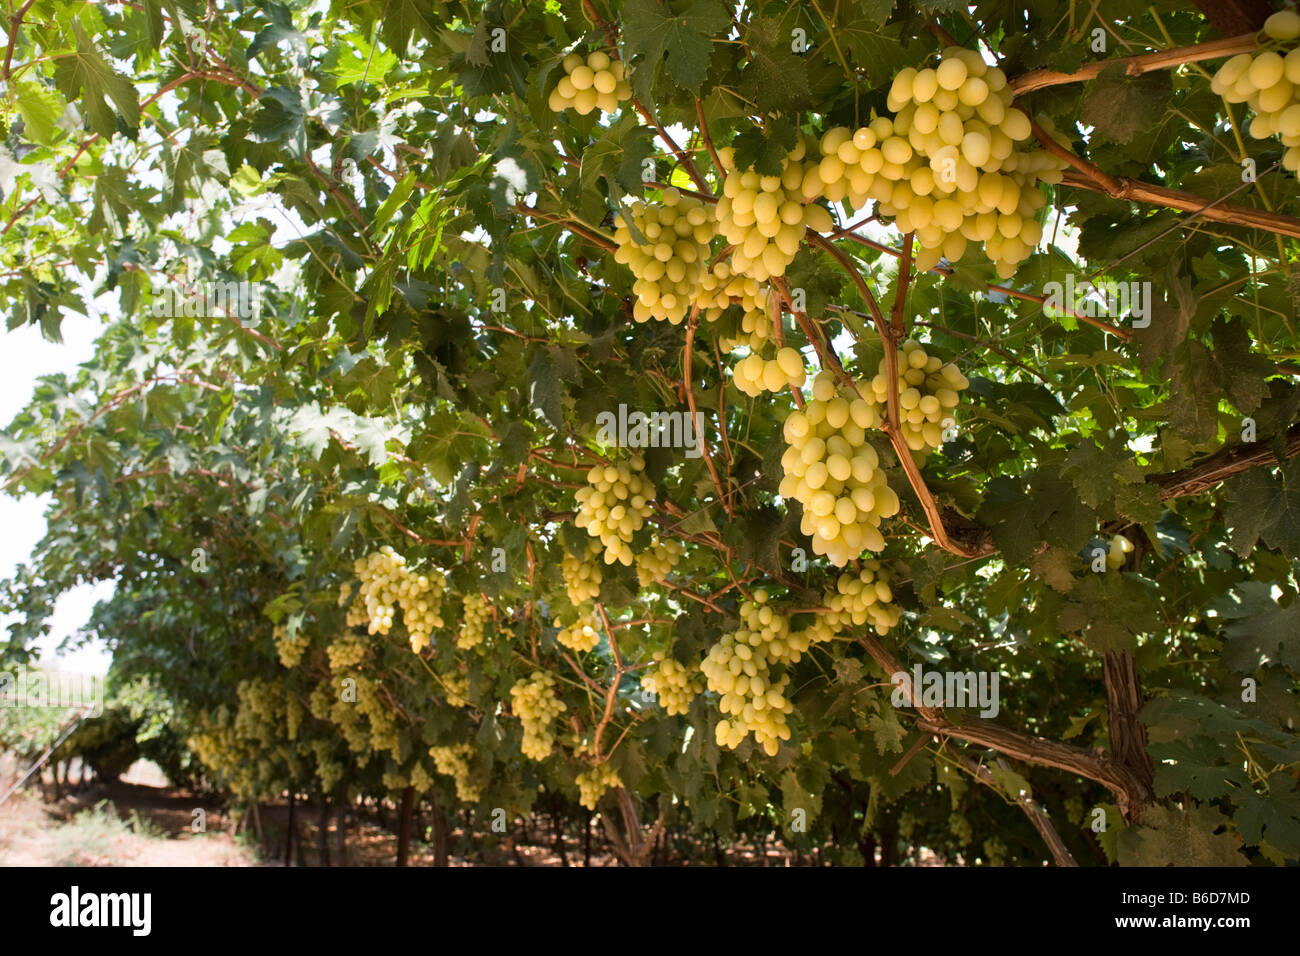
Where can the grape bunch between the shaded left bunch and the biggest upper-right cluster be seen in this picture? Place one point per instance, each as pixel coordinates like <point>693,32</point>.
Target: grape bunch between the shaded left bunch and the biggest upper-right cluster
<point>765,217</point>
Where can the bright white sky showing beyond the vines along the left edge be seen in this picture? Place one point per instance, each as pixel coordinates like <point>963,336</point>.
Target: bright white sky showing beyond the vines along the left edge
<point>24,357</point>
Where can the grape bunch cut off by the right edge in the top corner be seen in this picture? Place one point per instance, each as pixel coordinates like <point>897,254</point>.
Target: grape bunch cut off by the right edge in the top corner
<point>1271,83</point>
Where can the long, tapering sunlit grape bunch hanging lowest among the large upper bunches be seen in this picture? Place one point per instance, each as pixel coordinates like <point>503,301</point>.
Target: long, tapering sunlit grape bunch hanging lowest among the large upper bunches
<point>833,470</point>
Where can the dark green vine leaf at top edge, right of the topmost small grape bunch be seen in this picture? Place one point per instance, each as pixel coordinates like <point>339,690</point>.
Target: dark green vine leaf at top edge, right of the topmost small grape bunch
<point>679,41</point>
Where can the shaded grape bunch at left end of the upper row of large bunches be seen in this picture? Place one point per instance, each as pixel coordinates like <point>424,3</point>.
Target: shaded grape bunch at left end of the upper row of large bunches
<point>669,266</point>
